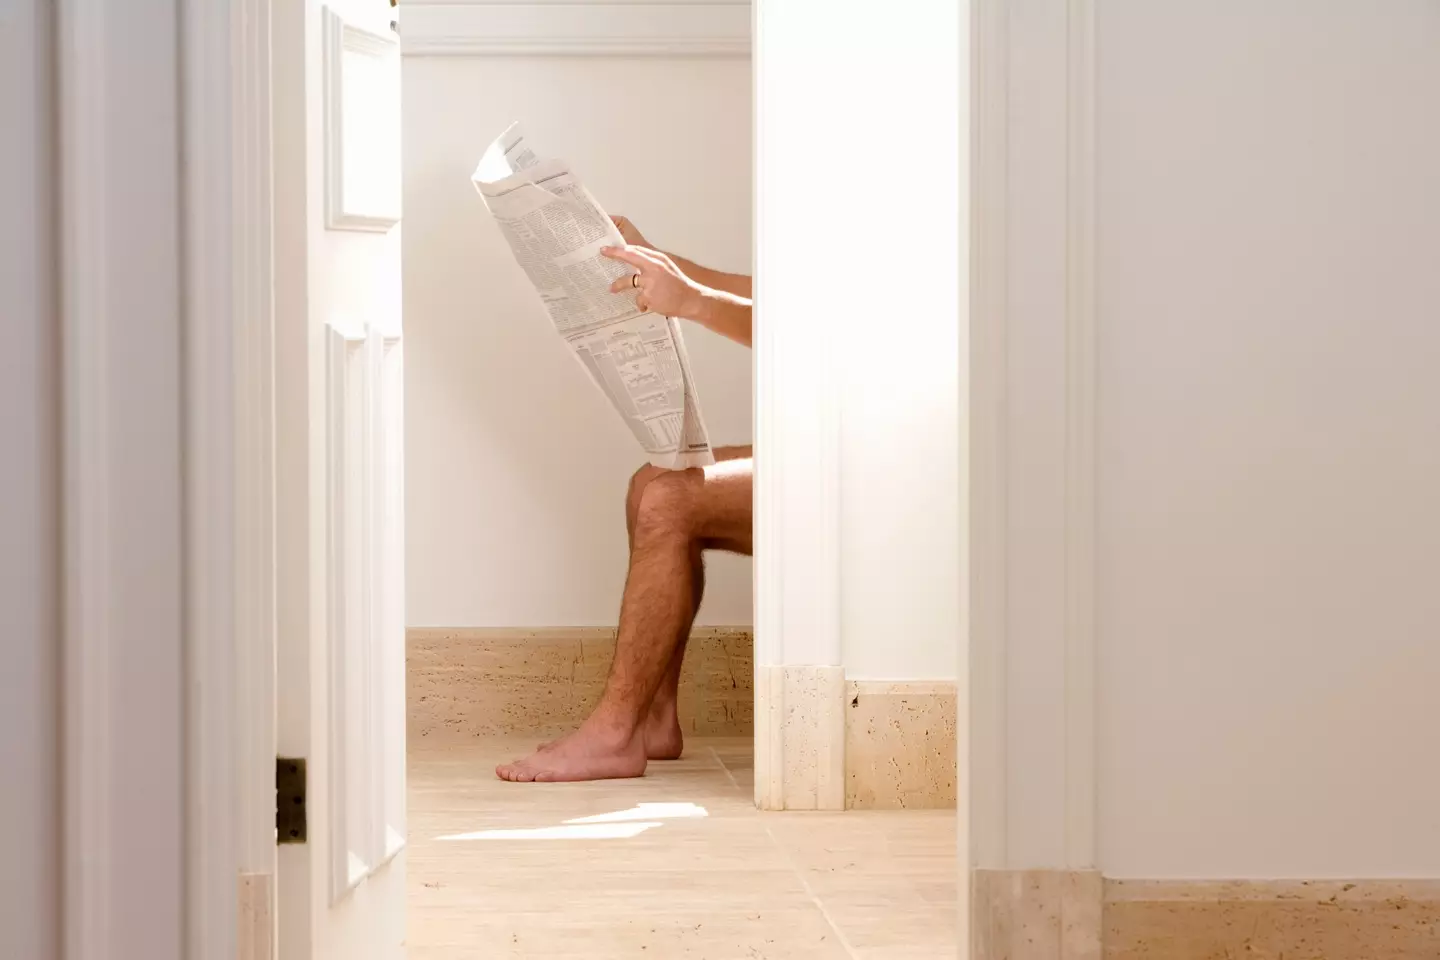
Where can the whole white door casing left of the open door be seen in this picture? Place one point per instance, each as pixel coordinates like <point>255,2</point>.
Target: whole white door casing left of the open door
<point>149,641</point>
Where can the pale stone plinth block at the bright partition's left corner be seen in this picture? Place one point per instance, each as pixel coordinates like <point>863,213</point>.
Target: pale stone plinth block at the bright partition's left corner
<point>800,746</point>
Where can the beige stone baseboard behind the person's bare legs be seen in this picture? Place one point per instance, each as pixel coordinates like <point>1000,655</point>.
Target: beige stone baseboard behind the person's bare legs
<point>480,683</point>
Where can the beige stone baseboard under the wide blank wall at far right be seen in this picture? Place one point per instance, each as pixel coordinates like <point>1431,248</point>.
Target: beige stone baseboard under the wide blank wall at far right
<point>1297,920</point>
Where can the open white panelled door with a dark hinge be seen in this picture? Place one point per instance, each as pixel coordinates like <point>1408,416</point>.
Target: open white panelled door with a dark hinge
<point>341,653</point>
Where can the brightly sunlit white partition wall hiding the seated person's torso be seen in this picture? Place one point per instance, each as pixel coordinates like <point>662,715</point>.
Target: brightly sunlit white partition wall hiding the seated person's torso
<point>860,232</point>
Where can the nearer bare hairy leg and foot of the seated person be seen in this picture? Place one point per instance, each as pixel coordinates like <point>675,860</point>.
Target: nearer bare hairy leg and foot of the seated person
<point>679,515</point>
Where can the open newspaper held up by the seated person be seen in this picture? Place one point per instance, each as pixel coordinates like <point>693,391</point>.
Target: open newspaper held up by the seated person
<point>639,361</point>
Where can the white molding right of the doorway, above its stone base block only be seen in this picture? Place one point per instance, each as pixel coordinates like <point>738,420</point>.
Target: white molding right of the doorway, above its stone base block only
<point>1065,114</point>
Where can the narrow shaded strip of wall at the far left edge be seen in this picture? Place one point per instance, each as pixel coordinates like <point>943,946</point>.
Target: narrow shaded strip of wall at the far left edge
<point>30,502</point>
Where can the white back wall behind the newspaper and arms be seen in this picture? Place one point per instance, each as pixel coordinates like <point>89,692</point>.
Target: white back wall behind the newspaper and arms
<point>516,466</point>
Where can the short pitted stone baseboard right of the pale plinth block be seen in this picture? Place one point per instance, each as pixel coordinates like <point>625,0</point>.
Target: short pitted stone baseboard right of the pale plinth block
<point>901,746</point>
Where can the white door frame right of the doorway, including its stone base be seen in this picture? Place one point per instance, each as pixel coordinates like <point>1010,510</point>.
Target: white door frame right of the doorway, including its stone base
<point>1042,68</point>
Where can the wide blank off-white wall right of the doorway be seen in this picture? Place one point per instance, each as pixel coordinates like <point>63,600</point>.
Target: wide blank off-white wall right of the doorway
<point>1269,422</point>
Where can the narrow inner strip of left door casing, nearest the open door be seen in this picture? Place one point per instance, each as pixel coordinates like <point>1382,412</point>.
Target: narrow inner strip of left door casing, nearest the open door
<point>208,258</point>
